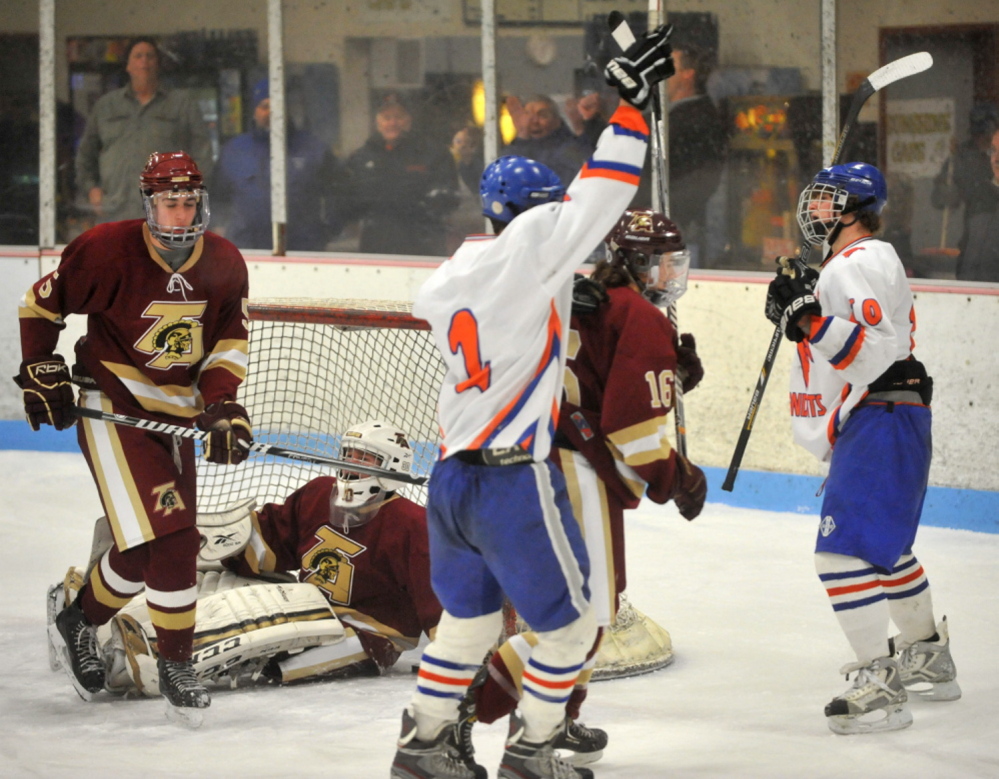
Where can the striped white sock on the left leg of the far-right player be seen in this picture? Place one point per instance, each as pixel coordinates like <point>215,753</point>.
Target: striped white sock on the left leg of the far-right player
<point>859,602</point>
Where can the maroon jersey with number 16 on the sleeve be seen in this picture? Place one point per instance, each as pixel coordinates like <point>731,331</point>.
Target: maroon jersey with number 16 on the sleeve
<point>618,391</point>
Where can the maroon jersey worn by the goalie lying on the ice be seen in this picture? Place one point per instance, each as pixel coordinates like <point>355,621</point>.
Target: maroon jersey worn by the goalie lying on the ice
<point>377,575</point>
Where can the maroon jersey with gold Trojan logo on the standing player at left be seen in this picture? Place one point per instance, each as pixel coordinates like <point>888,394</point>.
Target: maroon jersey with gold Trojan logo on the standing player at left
<point>159,341</point>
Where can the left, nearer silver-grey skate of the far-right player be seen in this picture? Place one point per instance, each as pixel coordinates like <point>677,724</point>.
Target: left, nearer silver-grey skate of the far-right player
<point>876,701</point>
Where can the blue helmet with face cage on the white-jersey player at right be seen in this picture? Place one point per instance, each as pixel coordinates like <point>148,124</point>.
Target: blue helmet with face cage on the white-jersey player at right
<point>844,189</point>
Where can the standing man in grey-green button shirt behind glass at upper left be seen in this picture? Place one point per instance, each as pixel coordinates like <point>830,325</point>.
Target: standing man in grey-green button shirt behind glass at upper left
<point>126,126</point>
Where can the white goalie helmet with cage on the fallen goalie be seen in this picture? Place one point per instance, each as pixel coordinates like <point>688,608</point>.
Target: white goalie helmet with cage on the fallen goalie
<point>374,443</point>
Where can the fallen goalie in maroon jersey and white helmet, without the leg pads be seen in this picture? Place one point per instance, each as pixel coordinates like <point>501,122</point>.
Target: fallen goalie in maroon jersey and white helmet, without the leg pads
<point>364,546</point>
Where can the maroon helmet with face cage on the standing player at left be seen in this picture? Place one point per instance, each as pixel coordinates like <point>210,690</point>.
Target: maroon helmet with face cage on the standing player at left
<point>174,175</point>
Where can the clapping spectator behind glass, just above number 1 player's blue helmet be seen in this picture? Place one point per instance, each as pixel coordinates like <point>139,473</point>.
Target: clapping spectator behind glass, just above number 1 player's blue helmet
<point>544,137</point>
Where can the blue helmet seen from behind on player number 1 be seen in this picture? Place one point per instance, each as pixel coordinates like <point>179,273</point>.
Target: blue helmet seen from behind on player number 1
<point>511,185</point>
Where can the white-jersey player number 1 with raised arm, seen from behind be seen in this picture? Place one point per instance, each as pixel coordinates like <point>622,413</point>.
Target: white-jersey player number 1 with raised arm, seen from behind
<point>499,518</point>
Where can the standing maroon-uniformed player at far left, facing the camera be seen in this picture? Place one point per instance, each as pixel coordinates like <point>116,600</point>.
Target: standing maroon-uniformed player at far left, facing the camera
<point>166,338</point>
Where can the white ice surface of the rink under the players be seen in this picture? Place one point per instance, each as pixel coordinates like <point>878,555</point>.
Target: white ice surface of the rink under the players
<point>757,657</point>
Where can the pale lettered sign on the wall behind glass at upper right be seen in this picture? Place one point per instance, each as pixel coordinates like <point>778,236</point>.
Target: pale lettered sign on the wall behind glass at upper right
<point>919,135</point>
